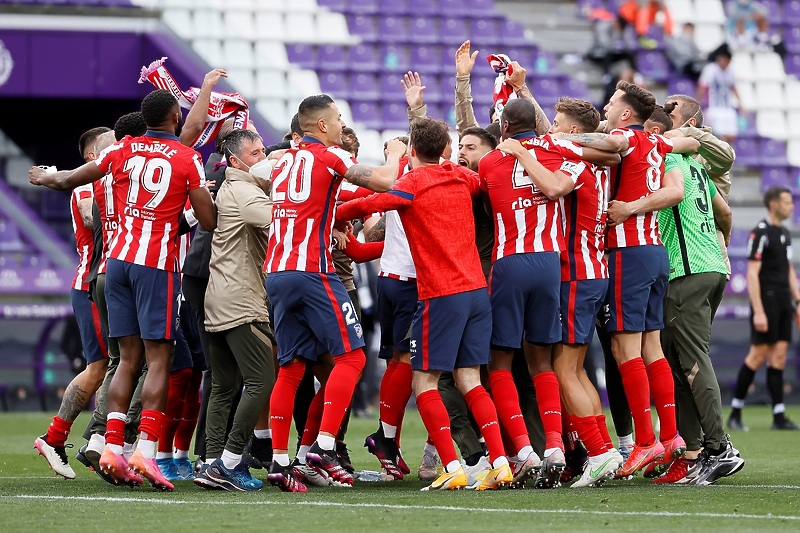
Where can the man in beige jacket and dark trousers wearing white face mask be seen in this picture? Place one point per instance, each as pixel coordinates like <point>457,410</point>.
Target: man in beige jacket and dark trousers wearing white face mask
<point>240,338</point>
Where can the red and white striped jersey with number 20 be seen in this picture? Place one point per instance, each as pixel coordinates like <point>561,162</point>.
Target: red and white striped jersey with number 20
<point>305,187</point>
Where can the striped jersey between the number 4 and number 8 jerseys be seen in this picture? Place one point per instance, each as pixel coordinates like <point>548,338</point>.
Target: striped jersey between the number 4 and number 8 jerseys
<point>583,214</point>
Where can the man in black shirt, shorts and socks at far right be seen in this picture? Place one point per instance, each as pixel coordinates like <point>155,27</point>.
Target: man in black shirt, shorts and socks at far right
<point>774,296</point>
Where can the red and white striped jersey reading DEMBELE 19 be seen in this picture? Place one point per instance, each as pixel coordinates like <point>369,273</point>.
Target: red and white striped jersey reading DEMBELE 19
<point>152,176</point>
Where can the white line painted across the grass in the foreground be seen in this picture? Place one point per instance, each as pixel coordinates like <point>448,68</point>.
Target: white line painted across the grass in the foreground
<point>164,501</point>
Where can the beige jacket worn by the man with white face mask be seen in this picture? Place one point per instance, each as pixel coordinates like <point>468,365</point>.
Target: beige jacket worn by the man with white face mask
<point>236,293</point>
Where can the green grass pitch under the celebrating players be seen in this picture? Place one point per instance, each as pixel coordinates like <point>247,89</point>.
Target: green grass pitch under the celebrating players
<point>764,496</point>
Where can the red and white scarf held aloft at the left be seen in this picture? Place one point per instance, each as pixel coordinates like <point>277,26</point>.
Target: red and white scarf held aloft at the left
<point>220,107</point>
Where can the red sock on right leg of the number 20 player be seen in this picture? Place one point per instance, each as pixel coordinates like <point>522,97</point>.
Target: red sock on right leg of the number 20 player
<point>339,389</point>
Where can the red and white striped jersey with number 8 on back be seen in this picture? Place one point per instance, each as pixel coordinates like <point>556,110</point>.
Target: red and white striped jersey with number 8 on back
<point>638,176</point>
